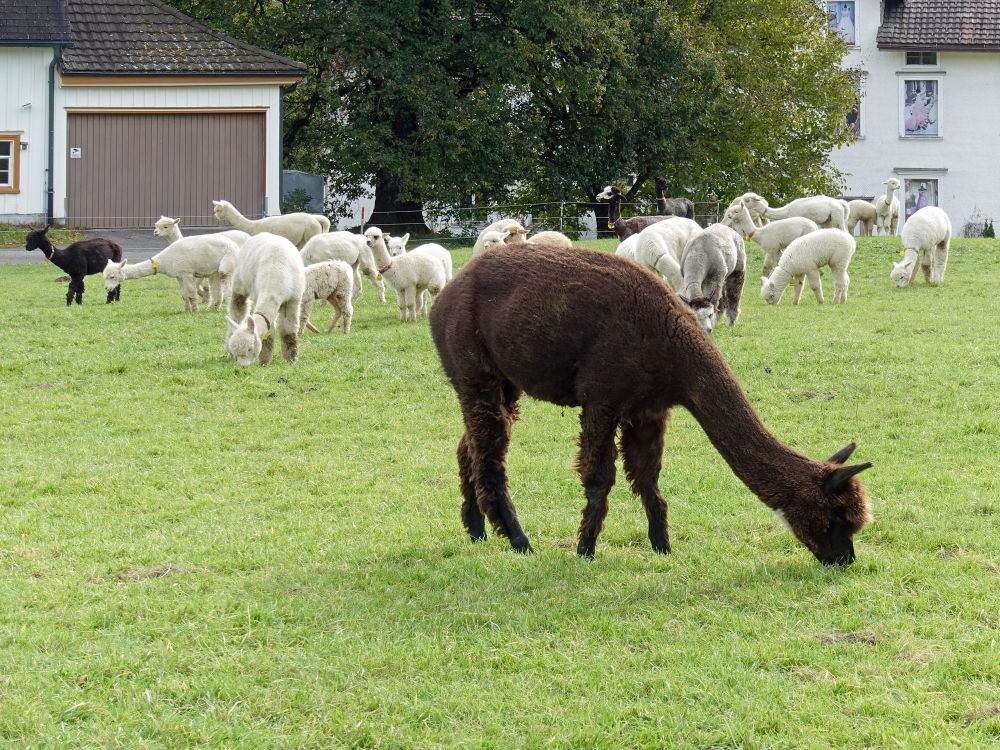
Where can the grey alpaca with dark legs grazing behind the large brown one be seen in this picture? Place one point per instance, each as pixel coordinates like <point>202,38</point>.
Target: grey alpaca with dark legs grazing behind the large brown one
<point>714,269</point>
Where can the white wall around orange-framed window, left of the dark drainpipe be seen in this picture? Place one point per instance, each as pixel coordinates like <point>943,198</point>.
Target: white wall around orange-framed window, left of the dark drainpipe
<point>25,79</point>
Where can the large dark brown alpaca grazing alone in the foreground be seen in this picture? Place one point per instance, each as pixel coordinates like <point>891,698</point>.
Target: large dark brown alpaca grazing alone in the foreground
<point>615,340</point>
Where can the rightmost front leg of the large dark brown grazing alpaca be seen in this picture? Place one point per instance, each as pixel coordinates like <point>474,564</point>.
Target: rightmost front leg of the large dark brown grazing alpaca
<point>642,456</point>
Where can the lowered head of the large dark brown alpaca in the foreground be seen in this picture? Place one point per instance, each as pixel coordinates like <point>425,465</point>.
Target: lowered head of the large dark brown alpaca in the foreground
<point>826,516</point>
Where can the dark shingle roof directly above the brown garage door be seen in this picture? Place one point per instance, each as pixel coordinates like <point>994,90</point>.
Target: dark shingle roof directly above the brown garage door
<point>148,37</point>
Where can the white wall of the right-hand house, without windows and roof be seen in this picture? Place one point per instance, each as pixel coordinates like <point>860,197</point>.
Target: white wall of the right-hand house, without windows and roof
<point>962,159</point>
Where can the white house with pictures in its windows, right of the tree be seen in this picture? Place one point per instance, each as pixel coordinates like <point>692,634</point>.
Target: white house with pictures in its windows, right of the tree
<point>929,102</point>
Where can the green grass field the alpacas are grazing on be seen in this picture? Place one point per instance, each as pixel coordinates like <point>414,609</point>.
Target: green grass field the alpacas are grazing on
<point>198,556</point>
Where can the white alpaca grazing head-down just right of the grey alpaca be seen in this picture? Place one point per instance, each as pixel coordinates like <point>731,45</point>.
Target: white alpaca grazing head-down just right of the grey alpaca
<point>805,256</point>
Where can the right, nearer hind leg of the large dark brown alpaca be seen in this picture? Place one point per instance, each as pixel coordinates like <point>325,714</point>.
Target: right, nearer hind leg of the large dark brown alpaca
<point>489,414</point>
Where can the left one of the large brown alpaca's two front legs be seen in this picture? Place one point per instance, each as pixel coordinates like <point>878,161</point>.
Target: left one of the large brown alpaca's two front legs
<point>596,465</point>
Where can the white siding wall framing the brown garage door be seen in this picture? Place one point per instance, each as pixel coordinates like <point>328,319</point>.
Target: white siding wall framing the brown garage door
<point>173,97</point>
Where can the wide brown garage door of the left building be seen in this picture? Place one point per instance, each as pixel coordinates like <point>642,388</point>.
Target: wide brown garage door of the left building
<point>126,170</point>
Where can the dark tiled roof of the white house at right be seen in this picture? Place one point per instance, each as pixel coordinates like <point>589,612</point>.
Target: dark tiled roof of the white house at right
<point>941,24</point>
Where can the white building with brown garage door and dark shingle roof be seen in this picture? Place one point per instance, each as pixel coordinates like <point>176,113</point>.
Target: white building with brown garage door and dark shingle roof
<point>116,112</point>
